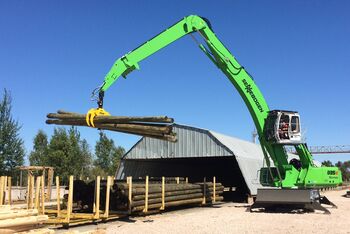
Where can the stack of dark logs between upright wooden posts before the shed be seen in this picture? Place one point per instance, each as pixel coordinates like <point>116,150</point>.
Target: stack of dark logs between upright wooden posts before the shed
<point>175,194</point>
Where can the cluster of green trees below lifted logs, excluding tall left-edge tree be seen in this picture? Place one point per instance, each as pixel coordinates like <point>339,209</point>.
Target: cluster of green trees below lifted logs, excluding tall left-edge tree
<point>70,154</point>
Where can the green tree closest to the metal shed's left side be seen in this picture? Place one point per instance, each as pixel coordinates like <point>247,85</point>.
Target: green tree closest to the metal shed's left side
<point>107,155</point>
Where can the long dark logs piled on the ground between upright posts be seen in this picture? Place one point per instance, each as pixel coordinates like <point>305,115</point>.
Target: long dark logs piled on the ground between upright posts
<point>173,193</point>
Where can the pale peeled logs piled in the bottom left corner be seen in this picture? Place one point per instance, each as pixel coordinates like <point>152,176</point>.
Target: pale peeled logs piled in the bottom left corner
<point>19,220</point>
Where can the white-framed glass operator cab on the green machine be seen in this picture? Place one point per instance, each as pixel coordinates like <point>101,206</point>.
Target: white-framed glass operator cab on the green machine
<point>283,127</point>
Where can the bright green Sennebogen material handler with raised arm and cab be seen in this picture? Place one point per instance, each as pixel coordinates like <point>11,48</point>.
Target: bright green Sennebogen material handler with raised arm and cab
<point>295,183</point>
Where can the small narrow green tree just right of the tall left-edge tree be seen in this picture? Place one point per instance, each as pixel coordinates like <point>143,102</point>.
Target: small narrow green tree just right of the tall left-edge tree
<point>39,155</point>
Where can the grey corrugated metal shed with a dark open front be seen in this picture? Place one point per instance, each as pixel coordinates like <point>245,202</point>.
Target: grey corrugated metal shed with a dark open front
<point>198,153</point>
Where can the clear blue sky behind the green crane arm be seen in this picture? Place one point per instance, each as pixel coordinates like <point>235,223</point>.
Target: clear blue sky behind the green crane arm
<point>54,53</point>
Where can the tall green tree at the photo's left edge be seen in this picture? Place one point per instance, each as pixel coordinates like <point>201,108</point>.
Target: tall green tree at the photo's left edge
<point>11,145</point>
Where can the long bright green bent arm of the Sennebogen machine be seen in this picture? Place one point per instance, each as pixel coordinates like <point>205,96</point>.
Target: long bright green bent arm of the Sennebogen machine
<point>216,52</point>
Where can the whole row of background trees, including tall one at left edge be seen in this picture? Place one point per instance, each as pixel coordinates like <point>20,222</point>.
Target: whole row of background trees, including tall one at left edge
<point>65,150</point>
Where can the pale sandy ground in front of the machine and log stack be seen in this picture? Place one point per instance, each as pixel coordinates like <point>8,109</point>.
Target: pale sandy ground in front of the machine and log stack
<point>233,218</point>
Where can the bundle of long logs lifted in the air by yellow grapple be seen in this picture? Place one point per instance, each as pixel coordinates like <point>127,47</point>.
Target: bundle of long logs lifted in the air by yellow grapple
<point>159,127</point>
